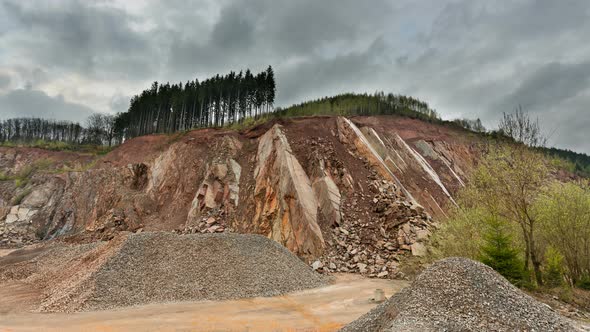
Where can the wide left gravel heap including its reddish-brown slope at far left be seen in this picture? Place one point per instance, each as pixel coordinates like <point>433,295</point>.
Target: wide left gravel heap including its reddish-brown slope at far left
<point>158,267</point>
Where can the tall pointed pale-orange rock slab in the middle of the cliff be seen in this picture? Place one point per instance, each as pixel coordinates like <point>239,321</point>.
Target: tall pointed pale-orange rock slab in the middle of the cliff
<point>286,206</point>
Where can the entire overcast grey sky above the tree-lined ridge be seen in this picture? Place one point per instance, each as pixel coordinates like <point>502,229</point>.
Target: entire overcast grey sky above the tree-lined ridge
<point>66,59</point>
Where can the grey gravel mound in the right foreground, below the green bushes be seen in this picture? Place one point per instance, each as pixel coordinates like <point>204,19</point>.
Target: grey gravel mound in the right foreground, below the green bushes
<point>458,294</point>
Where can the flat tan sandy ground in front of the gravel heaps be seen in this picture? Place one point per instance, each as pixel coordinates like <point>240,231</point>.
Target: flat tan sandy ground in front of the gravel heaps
<point>323,309</point>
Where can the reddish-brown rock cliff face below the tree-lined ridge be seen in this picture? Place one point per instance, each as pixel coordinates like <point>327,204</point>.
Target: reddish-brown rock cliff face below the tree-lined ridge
<point>348,194</point>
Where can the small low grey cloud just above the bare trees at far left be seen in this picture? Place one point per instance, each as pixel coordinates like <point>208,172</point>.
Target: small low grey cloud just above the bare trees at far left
<point>34,103</point>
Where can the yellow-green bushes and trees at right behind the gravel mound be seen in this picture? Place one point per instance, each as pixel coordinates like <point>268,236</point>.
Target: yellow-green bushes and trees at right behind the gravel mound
<point>514,217</point>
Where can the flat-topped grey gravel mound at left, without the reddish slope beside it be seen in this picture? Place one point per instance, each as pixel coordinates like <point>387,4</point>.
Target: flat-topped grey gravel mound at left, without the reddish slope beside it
<point>166,267</point>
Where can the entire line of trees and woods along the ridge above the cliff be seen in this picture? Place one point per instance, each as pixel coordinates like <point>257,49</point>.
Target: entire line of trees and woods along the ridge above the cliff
<point>223,100</point>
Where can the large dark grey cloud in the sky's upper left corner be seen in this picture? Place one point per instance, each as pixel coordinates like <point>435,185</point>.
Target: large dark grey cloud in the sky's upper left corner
<point>80,36</point>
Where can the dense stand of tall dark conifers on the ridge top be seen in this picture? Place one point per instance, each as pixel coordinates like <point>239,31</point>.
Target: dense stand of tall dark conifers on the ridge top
<point>214,102</point>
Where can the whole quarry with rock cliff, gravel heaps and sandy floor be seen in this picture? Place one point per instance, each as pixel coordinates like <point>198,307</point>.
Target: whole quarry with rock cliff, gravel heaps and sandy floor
<point>293,223</point>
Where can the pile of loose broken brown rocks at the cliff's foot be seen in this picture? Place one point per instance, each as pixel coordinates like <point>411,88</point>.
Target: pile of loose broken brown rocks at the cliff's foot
<point>372,243</point>
